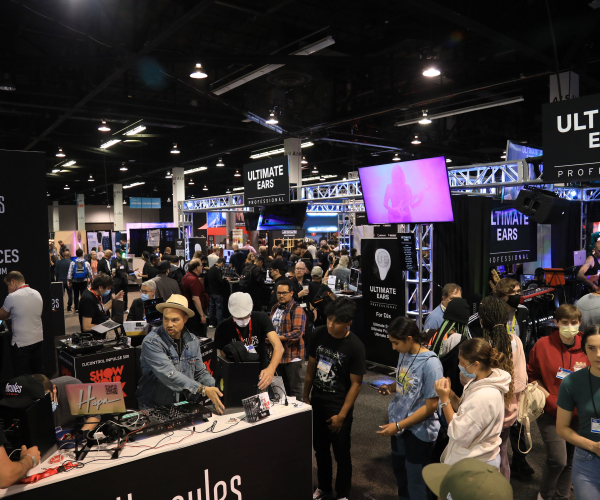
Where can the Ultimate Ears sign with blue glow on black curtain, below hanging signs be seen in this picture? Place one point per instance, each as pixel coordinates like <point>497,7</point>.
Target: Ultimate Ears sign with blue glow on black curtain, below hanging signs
<point>513,237</point>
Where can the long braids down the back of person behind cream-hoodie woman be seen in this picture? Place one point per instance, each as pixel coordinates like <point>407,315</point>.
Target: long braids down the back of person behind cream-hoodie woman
<point>493,313</point>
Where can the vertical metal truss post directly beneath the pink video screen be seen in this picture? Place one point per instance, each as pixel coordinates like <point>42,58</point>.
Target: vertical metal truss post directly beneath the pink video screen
<point>418,291</point>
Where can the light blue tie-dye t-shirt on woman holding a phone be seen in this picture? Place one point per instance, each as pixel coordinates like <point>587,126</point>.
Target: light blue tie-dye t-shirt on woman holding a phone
<point>415,383</point>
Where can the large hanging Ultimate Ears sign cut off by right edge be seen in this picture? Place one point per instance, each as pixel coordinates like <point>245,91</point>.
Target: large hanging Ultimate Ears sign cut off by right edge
<point>571,135</point>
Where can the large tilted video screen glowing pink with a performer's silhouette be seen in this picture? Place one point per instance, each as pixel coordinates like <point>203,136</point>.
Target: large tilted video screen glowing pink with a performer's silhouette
<point>409,192</point>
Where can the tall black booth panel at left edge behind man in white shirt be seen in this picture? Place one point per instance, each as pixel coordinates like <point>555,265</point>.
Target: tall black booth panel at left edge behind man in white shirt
<point>24,232</point>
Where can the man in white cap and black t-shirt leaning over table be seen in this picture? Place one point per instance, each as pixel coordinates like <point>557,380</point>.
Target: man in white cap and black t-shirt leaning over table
<point>255,329</point>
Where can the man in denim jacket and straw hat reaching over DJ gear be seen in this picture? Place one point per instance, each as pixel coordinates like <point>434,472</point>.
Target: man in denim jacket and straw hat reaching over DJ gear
<point>171,361</point>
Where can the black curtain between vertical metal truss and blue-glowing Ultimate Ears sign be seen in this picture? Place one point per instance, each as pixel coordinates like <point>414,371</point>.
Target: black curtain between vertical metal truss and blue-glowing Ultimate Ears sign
<point>461,249</point>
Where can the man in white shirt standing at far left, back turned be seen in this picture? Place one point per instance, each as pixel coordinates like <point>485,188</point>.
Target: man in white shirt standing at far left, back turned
<point>23,306</point>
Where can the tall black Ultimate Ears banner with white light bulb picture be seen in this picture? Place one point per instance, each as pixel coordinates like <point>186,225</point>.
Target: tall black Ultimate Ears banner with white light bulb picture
<point>383,296</point>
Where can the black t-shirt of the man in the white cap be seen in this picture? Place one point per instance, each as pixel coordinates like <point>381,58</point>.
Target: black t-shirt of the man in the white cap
<point>227,331</point>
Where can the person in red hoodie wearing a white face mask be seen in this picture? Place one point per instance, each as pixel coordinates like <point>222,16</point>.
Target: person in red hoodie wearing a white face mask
<point>550,361</point>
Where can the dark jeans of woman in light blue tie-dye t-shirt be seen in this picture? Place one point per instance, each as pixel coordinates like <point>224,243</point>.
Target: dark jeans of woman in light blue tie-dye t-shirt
<point>409,456</point>
